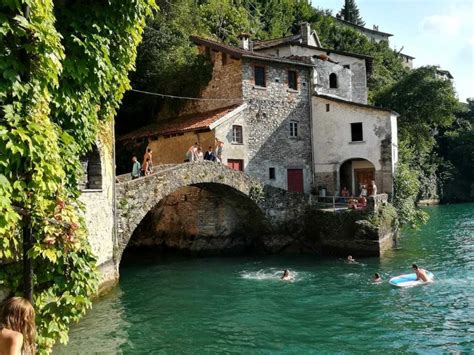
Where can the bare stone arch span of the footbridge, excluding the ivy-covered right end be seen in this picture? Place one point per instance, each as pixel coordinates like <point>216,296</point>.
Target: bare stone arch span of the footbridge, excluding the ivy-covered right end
<point>137,199</point>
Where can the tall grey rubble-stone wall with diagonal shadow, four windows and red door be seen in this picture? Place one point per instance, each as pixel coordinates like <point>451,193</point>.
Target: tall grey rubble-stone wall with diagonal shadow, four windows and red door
<point>270,111</point>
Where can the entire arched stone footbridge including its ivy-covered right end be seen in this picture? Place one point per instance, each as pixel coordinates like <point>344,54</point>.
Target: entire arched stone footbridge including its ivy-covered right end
<point>136,198</point>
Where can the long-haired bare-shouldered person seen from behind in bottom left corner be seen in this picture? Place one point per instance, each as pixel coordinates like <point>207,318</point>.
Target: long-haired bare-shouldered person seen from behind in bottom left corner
<point>17,327</point>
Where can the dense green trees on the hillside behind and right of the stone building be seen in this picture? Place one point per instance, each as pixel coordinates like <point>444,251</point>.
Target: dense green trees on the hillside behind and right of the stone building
<point>435,130</point>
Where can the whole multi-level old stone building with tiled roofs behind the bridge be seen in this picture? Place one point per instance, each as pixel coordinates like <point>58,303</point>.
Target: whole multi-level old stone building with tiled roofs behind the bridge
<point>267,102</point>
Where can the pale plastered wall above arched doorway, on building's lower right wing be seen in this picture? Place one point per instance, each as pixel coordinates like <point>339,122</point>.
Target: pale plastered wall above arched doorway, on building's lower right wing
<point>333,142</point>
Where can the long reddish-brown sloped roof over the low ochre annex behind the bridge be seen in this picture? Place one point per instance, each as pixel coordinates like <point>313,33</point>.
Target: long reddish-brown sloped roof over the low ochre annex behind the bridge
<point>186,123</point>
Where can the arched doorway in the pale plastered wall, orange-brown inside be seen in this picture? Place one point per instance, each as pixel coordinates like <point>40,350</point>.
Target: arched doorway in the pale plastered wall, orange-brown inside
<point>356,172</point>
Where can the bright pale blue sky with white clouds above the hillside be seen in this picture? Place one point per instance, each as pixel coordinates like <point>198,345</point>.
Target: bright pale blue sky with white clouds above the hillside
<point>435,32</point>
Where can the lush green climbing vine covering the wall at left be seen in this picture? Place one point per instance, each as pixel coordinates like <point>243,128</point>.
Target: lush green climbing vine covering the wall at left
<point>64,70</point>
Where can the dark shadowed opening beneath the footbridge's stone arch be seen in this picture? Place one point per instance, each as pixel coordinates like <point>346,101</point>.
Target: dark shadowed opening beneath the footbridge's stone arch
<point>201,219</point>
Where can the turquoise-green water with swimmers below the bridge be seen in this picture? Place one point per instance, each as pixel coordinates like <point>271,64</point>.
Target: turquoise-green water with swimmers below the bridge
<point>238,304</point>
